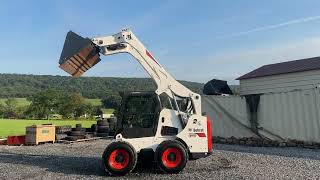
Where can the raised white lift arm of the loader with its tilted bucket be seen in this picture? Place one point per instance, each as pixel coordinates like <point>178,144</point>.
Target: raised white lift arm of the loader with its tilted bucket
<point>126,42</point>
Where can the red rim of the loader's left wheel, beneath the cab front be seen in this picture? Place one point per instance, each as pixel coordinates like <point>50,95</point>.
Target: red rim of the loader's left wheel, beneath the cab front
<point>119,159</point>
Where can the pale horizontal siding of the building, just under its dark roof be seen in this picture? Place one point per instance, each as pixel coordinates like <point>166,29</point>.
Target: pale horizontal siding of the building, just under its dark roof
<point>280,83</point>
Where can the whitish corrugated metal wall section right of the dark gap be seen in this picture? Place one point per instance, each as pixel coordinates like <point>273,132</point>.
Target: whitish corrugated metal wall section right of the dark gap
<point>291,115</point>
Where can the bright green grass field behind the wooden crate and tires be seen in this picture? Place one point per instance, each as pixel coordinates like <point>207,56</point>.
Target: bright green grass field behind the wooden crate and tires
<point>18,127</point>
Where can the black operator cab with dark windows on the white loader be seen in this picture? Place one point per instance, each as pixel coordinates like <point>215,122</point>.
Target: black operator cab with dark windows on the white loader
<point>139,113</point>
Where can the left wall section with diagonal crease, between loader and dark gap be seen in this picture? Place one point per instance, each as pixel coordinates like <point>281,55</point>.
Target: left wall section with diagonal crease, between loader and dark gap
<point>228,115</point>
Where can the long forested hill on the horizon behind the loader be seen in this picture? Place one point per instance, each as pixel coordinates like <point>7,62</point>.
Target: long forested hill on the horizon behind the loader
<point>19,86</point>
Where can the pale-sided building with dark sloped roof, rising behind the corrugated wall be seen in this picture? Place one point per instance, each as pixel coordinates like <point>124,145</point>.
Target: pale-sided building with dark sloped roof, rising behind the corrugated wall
<point>282,77</point>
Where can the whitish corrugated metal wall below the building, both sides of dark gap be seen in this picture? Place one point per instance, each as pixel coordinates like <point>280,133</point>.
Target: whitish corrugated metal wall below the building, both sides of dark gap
<point>285,115</point>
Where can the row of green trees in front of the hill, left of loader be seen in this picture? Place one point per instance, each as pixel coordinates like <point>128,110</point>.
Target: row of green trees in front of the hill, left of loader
<point>47,103</point>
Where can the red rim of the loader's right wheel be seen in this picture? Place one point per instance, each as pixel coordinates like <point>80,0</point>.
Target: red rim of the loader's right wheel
<point>171,157</point>
